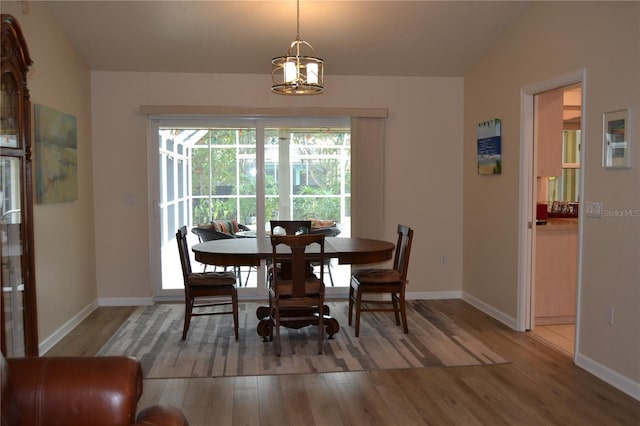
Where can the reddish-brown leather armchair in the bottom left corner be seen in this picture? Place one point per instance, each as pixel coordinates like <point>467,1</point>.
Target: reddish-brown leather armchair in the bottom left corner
<point>77,391</point>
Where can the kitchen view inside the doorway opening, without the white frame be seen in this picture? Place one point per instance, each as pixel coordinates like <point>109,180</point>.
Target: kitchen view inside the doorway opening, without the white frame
<point>557,164</point>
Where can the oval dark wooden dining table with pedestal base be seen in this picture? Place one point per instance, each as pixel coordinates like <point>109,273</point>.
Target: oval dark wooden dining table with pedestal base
<point>251,251</point>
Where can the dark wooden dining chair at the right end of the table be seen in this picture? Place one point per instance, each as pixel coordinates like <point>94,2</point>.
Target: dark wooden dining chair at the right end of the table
<point>383,281</point>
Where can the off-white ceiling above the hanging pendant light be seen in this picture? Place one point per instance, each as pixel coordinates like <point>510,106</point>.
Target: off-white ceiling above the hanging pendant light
<point>392,38</point>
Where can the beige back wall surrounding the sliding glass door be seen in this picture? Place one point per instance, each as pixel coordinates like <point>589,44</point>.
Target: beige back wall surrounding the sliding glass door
<point>423,163</point>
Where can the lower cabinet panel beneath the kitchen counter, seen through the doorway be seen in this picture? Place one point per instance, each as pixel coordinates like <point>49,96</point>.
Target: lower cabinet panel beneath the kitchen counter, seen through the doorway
<point>556,272</point>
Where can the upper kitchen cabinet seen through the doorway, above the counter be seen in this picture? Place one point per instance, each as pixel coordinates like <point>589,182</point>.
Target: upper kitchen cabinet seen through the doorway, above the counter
<point>548,133</point>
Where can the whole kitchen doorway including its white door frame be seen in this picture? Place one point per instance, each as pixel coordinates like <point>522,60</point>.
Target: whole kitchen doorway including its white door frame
<point>551,223</point>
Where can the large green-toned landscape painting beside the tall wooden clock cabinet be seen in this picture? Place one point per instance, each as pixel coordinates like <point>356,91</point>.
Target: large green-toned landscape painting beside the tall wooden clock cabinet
<point>56,146</point>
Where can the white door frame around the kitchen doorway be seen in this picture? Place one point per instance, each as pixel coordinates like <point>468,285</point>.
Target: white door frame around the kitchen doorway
<point>526,234</point>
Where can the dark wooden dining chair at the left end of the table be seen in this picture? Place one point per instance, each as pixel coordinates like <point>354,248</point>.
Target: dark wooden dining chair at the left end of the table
<point>220,285</point>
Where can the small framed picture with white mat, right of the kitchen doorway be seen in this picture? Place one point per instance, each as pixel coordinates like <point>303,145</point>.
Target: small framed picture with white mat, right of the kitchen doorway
<point>616,139</point>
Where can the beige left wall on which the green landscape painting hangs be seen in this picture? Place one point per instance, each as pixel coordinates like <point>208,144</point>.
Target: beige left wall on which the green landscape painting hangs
<point>64,239</point>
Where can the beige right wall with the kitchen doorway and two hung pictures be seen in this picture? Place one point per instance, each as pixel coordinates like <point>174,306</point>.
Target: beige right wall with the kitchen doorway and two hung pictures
<point>552,39</point>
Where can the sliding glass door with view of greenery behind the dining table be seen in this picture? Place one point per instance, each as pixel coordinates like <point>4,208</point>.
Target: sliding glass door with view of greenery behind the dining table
<point>249,171</point>
